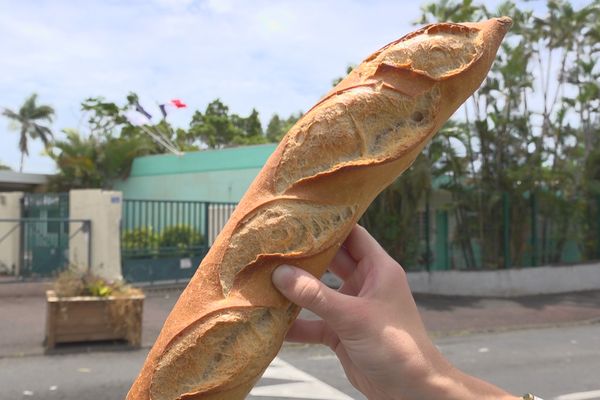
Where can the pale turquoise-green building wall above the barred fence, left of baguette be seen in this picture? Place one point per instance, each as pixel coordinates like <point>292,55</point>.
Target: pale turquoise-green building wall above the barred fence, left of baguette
<point>209,175</point>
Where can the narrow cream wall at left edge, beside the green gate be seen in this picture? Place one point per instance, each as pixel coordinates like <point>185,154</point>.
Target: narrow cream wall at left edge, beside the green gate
<point>10,232</point>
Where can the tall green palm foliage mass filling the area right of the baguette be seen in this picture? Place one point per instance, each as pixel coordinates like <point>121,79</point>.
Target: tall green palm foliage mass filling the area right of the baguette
<point>525,143</point>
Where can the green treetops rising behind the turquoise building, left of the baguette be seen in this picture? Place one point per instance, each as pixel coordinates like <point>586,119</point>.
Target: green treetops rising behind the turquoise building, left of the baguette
<point>105,154</point>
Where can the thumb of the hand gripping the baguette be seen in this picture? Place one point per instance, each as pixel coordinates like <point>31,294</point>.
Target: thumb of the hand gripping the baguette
<point>308,292</point>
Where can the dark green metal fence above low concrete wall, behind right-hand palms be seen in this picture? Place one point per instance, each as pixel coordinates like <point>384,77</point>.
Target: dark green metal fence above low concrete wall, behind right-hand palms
<point>515,232</point>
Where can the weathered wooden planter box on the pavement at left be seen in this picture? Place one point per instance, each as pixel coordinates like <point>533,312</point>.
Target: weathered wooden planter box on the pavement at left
<point>88,318</point>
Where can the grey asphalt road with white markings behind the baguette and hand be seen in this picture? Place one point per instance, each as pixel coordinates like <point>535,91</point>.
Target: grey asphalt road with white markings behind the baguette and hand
<point>549,362</point>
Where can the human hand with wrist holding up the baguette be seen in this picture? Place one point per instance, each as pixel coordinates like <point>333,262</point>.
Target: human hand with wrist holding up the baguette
<point>373,325</point>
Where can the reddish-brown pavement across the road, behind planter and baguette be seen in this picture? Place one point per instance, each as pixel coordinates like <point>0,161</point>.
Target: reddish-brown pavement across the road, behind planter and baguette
<point>23,315</point>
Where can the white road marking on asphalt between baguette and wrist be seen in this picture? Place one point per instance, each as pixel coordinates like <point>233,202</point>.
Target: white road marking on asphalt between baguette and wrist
<point>304,386</point>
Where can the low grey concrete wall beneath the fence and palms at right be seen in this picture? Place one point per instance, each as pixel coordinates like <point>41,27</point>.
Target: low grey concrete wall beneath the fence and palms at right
<point>506,283</point>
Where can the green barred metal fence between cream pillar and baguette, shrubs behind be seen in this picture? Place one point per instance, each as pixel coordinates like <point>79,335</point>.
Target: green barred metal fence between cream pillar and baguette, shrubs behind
<point>165,240</point>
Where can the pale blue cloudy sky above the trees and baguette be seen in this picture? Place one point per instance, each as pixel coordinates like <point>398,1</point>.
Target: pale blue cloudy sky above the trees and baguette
<point>277,56</point>
